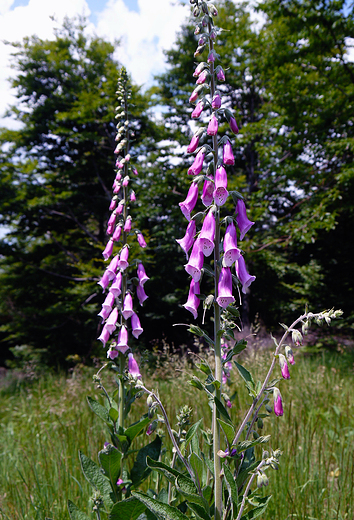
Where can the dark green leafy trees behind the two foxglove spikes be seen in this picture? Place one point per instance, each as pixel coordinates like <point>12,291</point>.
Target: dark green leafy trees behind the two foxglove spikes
<point>291,85</point>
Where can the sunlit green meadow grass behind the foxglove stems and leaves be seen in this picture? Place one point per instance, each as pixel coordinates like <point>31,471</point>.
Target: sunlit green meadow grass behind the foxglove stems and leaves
<point>44,423</point>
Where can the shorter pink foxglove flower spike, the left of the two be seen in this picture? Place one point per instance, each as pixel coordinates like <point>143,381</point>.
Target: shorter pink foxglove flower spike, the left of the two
<point>118,306</point>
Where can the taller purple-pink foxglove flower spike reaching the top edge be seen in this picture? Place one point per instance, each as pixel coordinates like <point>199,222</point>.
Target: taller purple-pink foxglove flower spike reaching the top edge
<point>214,180</point>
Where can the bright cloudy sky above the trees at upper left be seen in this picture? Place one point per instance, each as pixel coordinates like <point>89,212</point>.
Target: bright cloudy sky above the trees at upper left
<point>145,28</point>
